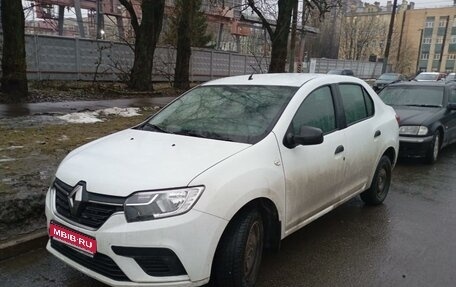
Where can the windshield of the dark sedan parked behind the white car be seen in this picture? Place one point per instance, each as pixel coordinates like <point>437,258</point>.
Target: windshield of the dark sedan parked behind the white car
<point>413,96</point>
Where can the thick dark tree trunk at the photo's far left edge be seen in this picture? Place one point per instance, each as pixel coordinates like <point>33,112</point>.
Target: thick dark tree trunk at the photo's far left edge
<point>14,78</point>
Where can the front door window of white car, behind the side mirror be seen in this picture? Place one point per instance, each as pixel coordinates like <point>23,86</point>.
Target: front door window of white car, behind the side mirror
<point>317,110</point>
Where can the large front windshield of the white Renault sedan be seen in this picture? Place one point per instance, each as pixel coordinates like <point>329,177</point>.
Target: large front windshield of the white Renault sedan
<point>232,113</point>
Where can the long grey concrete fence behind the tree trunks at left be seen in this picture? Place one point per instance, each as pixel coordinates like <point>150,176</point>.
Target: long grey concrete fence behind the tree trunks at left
<point>62,58</point>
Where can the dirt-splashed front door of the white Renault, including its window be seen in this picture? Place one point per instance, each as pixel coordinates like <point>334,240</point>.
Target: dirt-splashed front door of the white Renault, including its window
<point>313,173</point>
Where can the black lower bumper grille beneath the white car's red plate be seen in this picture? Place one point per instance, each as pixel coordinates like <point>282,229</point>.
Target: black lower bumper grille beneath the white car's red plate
<point>99,263</point>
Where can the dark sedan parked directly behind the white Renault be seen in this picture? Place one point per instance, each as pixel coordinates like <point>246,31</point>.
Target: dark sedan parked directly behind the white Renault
<point>427,112</point>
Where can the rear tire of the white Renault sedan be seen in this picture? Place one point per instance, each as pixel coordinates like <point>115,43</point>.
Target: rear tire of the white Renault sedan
<point>381,182</point>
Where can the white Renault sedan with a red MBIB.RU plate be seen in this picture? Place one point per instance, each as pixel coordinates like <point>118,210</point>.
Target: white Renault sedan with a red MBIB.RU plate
<point>233,166</point>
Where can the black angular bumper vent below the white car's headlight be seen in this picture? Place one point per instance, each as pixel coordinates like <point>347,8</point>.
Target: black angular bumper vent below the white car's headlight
<point>156,262</point>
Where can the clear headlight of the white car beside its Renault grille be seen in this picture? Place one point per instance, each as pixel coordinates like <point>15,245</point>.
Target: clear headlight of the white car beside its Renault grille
<point>147,205</point>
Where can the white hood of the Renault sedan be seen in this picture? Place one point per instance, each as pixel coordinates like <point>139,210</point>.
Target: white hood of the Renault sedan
<point>134,160</point>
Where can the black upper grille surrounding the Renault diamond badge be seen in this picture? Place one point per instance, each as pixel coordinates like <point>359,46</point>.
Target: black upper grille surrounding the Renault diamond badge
<point>94,209</point>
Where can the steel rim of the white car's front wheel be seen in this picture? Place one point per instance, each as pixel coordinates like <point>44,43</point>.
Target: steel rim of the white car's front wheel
<point>252,247</point>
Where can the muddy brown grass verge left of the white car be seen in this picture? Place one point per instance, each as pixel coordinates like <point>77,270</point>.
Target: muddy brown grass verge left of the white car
<point>30,150</point>
